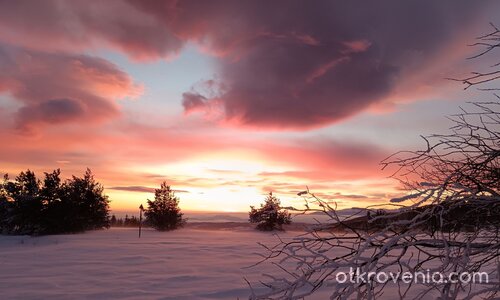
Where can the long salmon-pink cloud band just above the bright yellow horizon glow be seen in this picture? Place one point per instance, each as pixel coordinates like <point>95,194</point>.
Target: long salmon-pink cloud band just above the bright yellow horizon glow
<point>114,147</point>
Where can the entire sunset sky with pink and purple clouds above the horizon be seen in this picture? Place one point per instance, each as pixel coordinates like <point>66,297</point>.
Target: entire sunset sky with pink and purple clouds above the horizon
<point>229,100</point>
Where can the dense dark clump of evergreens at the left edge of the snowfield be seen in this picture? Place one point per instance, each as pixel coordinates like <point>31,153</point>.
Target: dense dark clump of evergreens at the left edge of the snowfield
<point>32,206</point>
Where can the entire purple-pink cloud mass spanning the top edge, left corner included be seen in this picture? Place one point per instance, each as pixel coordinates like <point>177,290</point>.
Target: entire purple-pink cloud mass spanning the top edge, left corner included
<point>282,64</point>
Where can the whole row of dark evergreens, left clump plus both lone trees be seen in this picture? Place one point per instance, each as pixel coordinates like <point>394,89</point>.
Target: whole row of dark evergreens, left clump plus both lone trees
<point>51,205</point>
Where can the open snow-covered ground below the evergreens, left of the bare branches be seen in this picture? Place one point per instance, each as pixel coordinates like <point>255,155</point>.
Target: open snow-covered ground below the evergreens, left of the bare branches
<point>189,263</point>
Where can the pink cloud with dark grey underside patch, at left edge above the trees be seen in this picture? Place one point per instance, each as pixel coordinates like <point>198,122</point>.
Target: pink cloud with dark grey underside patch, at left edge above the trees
<point>57,88</point>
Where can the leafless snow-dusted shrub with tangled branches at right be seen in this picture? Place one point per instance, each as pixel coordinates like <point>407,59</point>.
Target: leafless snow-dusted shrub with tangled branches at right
<point>447,222</point>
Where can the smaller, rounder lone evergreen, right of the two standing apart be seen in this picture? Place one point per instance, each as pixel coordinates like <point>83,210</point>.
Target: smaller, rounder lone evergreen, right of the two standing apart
<point>270,215</point>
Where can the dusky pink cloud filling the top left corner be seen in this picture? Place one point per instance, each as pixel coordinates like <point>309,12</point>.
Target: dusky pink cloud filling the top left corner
<point>81,25</point>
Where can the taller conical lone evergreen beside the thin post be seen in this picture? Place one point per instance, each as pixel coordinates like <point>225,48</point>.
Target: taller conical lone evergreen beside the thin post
<point>164,213</point>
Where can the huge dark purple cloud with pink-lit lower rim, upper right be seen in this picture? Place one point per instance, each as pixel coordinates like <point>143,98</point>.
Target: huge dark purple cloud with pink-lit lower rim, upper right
<point>297,65</point>
